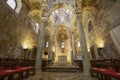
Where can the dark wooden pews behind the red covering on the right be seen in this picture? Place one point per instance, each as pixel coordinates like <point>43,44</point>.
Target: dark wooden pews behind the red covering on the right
<point>115,64</point>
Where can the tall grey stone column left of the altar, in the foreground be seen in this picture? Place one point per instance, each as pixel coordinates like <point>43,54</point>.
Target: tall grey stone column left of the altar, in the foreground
<point>38,64</point>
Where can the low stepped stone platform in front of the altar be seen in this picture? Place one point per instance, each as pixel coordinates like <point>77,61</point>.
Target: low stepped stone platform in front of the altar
<point>63,68</point>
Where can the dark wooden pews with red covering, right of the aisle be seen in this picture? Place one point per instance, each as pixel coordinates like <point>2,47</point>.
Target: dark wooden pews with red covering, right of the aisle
<point>106,69</point>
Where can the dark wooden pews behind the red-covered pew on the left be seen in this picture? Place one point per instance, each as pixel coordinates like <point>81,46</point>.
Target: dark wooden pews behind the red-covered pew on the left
<point>8,63</point>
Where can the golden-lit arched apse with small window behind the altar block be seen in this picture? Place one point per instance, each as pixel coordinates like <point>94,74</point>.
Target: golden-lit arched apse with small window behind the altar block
<point>62,43</point>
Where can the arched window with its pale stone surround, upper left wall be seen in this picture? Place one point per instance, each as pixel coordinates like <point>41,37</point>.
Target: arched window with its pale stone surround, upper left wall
<point>15,5</point>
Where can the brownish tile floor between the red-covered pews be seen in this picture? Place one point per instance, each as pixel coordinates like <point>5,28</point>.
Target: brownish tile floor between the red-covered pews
<point>60,76</point>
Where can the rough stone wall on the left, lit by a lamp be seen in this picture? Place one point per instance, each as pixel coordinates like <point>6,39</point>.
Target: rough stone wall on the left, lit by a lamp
<point>15,31</point>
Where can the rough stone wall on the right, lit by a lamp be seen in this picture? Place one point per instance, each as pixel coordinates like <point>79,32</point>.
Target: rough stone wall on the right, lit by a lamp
<point>104,17</point>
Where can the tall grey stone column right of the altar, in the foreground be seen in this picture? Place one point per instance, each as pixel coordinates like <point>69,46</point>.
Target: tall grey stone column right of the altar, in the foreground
<point>84,51</point>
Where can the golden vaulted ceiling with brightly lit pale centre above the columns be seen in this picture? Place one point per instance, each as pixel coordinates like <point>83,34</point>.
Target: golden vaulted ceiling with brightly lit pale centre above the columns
<point>60,13</point>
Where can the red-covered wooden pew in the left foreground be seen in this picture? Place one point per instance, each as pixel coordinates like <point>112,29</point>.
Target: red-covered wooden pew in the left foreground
<point>16,74</point>
